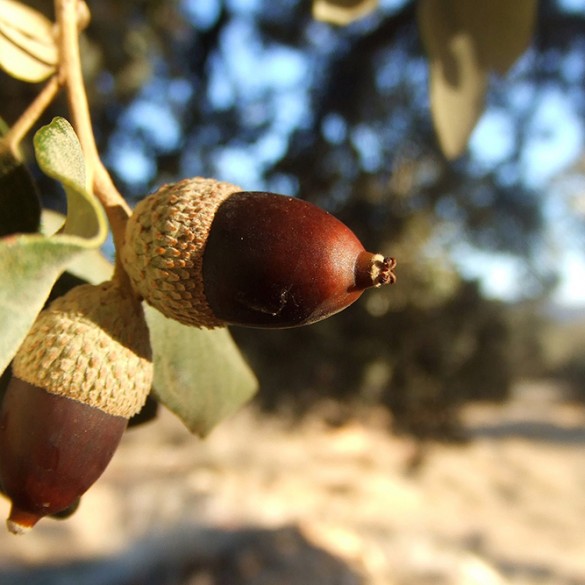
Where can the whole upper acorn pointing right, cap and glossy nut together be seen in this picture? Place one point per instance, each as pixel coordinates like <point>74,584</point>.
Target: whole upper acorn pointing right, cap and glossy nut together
<point>206,253</point>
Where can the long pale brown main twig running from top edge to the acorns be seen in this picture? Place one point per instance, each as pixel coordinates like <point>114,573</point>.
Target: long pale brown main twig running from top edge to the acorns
<point>99,179</point>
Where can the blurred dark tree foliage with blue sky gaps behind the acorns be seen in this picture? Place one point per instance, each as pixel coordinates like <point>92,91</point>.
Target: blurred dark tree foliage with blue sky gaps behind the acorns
<point>259,93</point>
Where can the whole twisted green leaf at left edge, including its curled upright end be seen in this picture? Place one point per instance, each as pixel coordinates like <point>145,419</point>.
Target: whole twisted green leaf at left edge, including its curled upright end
<point>30,264</point>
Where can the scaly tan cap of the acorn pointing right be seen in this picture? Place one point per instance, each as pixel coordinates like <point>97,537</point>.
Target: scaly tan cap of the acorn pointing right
<point>165,242</point>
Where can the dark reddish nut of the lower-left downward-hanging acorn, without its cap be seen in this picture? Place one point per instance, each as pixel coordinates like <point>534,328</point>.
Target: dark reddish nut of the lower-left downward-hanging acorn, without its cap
<point>52,450</point>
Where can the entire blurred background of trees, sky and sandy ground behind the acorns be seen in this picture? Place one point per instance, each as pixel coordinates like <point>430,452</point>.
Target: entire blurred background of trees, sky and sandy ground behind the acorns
<point>434,431</point>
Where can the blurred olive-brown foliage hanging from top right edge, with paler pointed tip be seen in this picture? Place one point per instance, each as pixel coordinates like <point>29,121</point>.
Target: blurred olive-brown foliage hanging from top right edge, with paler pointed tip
<point>466,40</point>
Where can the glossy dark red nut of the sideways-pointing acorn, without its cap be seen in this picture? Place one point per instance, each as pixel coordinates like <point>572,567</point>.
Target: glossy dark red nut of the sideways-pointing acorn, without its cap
<point>276,261</point>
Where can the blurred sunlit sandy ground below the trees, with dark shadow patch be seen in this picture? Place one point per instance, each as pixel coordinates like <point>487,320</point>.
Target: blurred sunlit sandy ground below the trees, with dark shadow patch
<point>321,505</point>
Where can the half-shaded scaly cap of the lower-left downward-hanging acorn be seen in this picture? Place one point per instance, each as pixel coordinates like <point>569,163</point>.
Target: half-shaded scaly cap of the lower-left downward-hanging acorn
<point>91,345</point>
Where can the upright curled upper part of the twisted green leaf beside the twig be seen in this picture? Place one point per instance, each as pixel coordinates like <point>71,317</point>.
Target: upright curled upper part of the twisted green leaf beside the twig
<point>59,155</point>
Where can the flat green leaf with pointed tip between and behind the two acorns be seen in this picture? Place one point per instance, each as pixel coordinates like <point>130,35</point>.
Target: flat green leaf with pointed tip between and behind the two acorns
<point>199,374</point>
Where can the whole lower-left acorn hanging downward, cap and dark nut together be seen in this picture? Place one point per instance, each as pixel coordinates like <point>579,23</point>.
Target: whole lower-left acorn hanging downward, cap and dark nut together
<point>83,370</point>
